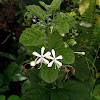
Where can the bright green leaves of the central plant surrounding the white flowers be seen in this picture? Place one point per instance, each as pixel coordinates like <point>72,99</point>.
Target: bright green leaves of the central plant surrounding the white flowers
<point>48,36</point>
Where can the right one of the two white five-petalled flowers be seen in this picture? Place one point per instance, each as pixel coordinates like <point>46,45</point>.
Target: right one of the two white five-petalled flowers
<point>54,60</point>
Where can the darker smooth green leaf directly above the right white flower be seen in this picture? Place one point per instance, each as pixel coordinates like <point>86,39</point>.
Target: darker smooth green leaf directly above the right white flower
<point>55,40</point>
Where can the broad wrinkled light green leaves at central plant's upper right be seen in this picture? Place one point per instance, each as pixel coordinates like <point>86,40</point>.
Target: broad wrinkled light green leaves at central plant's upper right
<point>65,20</point>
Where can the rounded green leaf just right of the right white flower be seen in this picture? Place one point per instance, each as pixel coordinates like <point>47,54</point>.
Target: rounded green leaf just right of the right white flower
<point>67,53</point>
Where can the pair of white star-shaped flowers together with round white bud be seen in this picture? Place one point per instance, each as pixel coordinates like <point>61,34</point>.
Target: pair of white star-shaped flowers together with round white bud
<point>42,58</point>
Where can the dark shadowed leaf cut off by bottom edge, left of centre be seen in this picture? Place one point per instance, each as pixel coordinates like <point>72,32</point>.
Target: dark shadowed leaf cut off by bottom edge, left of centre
<point>36,93</point>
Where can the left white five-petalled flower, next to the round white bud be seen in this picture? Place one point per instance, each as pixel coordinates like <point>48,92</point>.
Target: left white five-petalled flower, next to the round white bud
<point>41,57</point>
